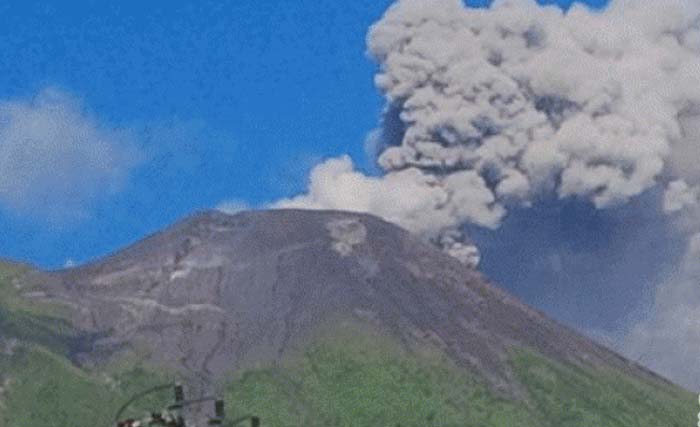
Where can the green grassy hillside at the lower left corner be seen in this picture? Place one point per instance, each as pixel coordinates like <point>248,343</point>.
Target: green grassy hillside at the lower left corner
<point>39,386</point>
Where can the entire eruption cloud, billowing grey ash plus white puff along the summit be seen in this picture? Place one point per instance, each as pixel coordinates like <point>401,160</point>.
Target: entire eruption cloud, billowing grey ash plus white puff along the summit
<point>491,109</point>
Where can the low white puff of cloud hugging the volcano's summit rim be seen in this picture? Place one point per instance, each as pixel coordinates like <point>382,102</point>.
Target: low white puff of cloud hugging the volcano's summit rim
<point>410,198</point>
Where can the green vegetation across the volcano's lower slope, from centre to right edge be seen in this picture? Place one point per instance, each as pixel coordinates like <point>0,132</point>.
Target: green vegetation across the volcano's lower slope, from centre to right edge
<point>364,380</point>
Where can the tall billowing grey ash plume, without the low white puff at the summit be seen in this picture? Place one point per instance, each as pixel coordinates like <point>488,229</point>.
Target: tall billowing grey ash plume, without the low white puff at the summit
<point>536,101</point>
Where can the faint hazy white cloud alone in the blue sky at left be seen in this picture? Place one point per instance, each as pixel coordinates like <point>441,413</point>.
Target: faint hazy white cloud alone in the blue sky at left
<point>55,159</point>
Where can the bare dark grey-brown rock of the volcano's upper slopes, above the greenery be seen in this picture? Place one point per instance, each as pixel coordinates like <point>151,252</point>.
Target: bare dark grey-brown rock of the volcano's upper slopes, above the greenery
<point>220,292</point>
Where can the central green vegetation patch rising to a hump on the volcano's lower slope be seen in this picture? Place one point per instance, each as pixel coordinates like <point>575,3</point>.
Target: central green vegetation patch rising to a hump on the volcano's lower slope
<point>365,380</point>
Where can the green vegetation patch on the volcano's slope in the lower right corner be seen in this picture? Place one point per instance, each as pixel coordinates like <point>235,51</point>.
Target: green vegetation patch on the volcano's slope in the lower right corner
<point>568,396</point>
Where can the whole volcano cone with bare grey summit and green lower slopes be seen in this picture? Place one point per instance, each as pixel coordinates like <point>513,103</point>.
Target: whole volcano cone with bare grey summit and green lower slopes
<point>222,299</point>
